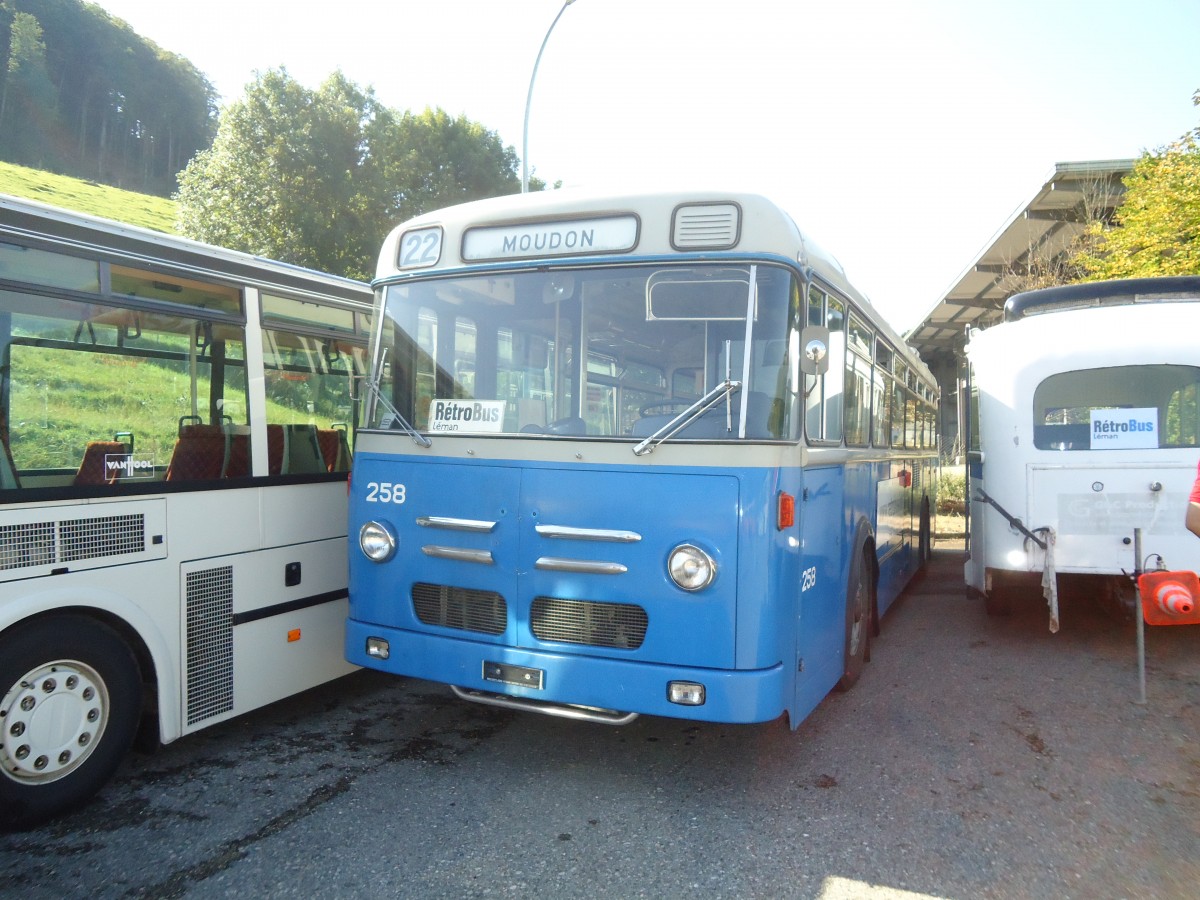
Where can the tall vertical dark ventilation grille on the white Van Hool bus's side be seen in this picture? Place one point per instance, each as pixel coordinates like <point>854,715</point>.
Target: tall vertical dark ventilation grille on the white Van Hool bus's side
<point>209,643</point>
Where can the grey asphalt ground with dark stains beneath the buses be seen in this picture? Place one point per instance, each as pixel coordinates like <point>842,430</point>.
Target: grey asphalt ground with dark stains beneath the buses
<point>977,758</point>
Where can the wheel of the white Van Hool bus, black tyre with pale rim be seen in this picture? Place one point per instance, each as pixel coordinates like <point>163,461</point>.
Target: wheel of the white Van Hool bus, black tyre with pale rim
<point>70,700</point>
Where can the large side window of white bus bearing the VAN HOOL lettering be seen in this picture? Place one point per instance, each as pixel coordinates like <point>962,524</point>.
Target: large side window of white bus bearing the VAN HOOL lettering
<point>129,383</point>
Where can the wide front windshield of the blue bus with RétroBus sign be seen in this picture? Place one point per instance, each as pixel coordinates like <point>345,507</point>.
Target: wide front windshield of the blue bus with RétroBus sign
<point>599,352</point>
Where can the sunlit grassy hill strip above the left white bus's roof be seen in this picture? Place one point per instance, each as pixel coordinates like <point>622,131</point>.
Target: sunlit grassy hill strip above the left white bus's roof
<point>137,209</point>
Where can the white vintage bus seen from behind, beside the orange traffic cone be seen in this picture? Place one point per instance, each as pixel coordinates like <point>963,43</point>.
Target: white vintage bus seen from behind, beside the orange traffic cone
<point>1085,428</point>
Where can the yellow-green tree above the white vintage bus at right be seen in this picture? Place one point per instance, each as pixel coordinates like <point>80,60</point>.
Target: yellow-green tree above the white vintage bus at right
<point>1157,227</point>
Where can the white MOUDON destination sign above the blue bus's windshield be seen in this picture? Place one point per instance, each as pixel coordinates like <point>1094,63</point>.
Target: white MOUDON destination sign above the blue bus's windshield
<point>613,235</point>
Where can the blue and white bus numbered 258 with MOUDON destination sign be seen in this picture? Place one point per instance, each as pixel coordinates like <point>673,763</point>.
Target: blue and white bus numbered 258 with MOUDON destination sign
<point>633,455</point>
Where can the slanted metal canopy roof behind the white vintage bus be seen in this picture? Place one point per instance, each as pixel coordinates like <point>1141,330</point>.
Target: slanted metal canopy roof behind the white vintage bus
<point>1073,195</point>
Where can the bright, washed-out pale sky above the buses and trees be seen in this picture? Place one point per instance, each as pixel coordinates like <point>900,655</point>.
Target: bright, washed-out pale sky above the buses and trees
<point>901,135</point>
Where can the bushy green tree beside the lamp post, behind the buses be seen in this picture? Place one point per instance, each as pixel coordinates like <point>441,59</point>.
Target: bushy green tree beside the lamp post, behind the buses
<point>319,178</point>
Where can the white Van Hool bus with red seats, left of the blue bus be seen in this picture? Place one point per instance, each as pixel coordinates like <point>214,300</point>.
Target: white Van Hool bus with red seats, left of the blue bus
<point>176,428</point>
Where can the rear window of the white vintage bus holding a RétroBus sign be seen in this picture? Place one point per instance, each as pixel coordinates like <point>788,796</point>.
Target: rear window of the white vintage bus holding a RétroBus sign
<point>1093,410</point>
